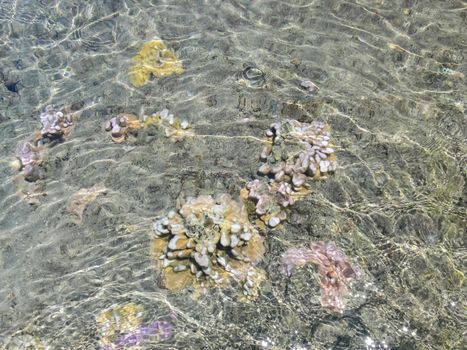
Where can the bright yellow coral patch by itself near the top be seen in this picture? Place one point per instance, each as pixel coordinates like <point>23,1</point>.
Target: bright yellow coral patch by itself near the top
<point>156,59</point>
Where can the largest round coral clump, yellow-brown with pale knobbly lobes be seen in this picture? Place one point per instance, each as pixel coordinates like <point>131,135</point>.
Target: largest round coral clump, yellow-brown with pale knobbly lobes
<point>211,239</point>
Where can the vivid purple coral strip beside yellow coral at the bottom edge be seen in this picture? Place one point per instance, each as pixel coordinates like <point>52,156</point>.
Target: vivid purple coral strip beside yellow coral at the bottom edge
<point>161,329</point>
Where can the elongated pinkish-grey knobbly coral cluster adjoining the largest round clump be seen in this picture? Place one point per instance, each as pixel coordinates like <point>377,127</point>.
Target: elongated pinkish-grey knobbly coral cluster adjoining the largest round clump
<point>295,153</point>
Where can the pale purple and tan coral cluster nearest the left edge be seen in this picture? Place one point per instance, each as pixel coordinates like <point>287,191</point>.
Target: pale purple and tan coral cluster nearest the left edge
<point>56,125</point>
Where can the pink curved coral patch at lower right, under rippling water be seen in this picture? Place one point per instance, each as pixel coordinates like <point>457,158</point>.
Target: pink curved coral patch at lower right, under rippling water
<point>333,269</point>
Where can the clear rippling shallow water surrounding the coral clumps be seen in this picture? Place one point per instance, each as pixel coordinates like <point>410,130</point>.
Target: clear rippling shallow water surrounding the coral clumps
<point>391,78</point>
